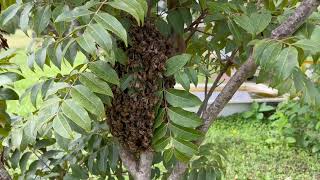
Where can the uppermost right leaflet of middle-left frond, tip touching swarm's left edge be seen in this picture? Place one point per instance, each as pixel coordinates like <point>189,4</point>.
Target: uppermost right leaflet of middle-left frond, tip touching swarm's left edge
<point>103,70</point>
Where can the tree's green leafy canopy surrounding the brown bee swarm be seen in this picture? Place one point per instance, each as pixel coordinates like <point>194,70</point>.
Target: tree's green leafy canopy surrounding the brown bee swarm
<point>66,135</point>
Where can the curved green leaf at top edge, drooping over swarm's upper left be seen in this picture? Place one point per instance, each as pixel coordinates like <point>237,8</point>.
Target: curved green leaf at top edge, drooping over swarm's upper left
<point>129,7</point>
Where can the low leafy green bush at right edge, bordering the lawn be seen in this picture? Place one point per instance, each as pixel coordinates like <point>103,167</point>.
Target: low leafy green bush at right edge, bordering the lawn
<point>296,124</point>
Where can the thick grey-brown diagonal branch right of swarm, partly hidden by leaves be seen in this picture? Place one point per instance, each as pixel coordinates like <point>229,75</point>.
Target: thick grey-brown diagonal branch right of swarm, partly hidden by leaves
<point>287,28</point>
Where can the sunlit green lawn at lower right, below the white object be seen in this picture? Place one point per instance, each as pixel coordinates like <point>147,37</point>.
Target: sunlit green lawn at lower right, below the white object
<point>249,157</point>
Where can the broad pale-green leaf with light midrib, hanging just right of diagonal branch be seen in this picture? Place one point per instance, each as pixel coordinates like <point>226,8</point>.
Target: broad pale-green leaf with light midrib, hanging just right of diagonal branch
<point>286,62</point>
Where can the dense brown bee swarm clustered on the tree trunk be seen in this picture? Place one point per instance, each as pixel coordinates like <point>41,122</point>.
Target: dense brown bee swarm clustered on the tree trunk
<point>132,114</point>
